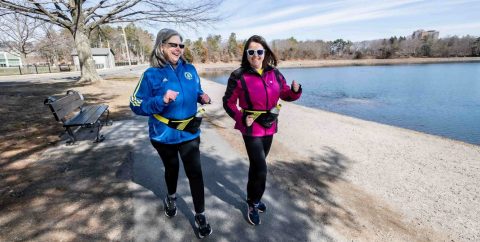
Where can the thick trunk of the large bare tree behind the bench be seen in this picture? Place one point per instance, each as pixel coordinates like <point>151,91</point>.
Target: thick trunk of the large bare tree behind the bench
<point>87,65</point>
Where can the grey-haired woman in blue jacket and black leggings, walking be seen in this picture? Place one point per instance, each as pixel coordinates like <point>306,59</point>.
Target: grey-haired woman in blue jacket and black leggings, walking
<point>168,93</point>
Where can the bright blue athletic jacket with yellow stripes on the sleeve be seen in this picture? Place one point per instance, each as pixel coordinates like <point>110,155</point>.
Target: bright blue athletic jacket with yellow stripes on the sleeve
<point>147,100</point>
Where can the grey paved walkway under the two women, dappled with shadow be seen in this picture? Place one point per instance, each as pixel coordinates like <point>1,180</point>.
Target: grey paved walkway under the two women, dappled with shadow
<point>225,176</point>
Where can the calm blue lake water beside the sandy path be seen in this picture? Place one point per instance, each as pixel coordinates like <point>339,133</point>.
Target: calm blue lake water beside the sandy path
<point>440,99</point>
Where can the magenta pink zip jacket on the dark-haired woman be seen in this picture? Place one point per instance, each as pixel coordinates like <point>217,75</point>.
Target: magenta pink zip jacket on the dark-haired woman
<point>255,92</point>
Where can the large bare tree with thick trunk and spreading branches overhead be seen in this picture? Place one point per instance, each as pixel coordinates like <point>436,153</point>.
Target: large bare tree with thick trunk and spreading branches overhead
<point>80,17</point>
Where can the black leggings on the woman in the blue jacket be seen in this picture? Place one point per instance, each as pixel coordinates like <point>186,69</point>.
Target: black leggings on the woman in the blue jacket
<point>190,153</point>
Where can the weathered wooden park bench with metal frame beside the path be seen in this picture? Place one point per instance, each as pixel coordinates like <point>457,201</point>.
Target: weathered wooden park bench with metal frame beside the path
<point>72,112</point>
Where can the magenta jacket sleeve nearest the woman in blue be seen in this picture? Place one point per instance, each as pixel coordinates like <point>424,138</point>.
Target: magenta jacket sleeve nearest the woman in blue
<point>231,97</point>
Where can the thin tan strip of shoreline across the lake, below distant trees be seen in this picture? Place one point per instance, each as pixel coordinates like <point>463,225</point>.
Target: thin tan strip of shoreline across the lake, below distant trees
<point>221,66</point>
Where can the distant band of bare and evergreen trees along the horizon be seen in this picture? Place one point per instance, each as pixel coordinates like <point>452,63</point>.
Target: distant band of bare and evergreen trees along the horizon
<point>54,46</point>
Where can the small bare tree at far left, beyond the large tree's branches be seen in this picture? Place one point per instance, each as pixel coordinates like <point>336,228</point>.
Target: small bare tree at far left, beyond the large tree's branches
<point>18,32</point>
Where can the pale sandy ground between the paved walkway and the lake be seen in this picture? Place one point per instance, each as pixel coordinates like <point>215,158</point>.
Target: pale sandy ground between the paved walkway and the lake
<point>383,183</point>
